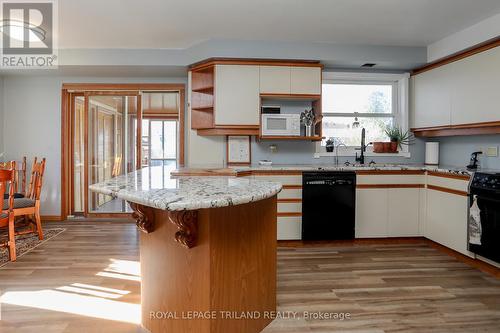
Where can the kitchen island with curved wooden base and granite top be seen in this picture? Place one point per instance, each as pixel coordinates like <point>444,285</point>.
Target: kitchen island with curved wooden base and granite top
<point>207,249</point>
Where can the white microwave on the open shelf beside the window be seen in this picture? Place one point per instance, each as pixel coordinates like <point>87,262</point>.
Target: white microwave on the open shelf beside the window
<point>280,125</point>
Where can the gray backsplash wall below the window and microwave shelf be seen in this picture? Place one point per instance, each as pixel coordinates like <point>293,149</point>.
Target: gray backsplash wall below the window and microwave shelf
<point>302,152</point>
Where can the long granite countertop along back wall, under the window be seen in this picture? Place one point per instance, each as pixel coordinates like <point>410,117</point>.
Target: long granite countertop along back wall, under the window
<point>234,171</point>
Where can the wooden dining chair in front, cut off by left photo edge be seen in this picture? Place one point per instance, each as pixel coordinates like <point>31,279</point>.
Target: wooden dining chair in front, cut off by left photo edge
<point>7,213</point>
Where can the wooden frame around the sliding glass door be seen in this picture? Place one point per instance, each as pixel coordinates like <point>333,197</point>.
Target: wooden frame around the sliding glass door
<point>69,89</point>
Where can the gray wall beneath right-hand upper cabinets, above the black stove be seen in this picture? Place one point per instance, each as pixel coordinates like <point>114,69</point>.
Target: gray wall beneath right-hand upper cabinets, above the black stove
<point>455,151</point>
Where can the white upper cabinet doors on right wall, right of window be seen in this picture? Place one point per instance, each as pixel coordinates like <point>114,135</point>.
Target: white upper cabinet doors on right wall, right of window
<point>459,93</point>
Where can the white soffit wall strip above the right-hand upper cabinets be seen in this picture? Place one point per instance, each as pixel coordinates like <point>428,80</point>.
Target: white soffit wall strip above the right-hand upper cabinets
<point>461,40</point>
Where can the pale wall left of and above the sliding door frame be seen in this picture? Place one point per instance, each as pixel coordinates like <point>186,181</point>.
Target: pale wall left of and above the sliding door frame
<point>32,119</point>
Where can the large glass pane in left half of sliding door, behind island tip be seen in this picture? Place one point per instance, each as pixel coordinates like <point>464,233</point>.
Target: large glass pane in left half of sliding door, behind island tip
<point>112,150</point>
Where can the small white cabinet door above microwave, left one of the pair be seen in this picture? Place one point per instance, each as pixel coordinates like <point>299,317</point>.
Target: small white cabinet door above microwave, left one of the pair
<point>274,79</point>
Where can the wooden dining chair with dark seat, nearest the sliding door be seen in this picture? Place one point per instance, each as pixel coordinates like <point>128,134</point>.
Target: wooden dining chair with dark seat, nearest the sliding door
<point>29,206</point>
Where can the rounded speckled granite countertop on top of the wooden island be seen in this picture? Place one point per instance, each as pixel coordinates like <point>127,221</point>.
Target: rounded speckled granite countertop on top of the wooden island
<point>154,187</point>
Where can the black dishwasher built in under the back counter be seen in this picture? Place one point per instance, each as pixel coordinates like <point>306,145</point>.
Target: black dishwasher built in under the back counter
<point>328,205</point>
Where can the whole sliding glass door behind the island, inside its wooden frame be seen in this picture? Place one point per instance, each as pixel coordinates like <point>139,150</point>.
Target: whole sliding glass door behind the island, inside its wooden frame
<point>117,132</point>
